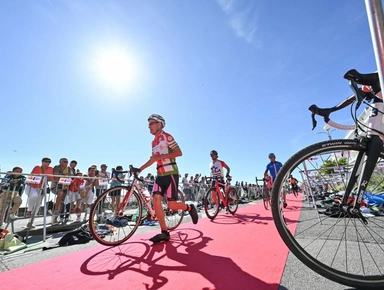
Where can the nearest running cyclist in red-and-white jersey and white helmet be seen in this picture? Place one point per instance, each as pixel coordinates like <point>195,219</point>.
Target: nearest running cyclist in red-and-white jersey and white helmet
<point>164,153</point>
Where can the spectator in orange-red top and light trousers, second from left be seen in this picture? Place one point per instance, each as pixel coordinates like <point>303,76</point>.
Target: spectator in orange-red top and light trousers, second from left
<point>35,191</point>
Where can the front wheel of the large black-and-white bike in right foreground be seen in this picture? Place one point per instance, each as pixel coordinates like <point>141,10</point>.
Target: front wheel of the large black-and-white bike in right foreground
<point>333,243</point>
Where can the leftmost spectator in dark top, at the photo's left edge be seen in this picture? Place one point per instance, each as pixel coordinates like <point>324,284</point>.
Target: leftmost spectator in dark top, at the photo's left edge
<point>11,189</point>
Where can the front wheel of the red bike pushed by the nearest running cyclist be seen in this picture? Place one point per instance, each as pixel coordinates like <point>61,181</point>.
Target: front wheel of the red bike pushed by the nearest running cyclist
<point>106,227</point>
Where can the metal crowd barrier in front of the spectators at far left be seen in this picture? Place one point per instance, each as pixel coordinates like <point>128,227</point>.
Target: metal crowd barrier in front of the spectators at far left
<point>44,198</point>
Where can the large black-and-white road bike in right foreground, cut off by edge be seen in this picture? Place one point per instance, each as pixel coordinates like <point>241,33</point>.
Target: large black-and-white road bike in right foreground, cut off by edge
<point>343,241</point>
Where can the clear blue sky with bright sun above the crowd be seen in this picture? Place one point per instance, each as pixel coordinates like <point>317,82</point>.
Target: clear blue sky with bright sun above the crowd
<point>231,75</point>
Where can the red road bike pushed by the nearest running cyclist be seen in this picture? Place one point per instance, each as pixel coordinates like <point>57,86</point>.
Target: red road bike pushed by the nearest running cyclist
<point>112,225</point>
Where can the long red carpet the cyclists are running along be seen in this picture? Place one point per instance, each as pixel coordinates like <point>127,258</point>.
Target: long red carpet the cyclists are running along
<point>233,252</point>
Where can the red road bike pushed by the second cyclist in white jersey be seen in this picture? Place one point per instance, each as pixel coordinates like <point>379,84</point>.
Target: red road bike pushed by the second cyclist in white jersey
<point>220,196</point>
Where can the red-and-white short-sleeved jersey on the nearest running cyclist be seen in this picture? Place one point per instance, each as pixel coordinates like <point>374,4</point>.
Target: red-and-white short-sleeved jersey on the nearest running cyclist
<point>164,144</point>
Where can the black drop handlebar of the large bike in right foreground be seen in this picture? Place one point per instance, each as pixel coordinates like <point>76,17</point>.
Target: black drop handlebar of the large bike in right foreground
<point>354,78</point>
